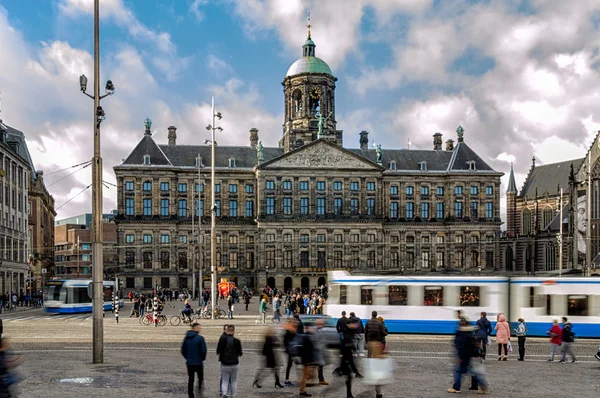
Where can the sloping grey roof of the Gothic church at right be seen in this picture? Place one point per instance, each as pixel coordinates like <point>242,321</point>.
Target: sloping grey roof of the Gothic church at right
<point>548,178</point>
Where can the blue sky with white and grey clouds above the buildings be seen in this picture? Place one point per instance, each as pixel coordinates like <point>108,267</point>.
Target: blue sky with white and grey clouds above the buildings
<point>521,77</point>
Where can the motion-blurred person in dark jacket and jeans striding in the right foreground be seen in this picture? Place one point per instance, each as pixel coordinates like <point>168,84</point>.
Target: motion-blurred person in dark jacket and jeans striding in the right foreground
<point>464,345</point>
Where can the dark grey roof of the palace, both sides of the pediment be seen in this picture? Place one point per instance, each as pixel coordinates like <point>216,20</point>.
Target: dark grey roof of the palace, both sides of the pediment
<point>245,156</point>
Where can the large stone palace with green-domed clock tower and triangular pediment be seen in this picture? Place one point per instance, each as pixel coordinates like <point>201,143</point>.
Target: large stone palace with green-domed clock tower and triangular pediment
<point>288,214</point>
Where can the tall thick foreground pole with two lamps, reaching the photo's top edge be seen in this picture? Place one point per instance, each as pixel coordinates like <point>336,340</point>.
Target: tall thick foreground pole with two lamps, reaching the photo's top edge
<point>97,264</point>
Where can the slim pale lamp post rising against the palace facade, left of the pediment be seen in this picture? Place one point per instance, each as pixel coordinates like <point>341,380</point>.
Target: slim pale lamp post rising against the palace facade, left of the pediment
<point>213,209</point>
